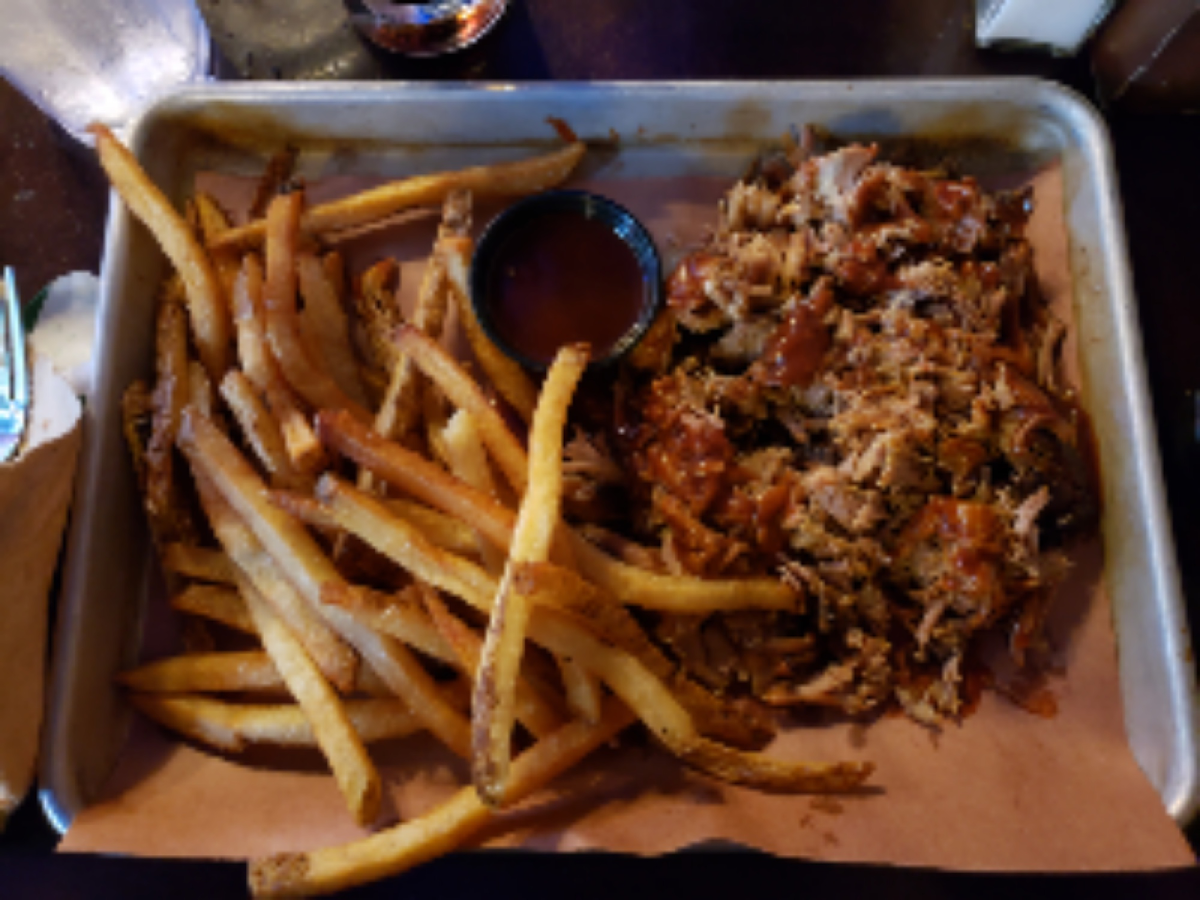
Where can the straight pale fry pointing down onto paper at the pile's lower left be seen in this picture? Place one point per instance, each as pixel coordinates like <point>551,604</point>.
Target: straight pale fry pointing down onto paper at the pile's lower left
<point>332,728</point>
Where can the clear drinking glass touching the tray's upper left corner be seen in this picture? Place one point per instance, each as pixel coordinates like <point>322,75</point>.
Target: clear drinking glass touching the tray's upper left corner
<point>100,61</point>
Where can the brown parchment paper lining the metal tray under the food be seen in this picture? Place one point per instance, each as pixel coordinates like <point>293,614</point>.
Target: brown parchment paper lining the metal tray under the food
<point>1006,790</point>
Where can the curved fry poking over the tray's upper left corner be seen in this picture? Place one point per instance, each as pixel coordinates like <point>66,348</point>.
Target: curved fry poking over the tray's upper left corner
<point>206,308</point>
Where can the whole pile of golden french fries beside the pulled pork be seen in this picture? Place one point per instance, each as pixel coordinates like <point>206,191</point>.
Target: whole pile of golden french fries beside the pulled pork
<point>323,477</point>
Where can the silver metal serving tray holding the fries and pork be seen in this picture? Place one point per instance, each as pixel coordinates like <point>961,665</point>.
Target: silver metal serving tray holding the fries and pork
<point>677,129</point>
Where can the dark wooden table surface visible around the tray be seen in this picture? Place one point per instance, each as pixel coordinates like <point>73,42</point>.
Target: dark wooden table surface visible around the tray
<point>53,202</point>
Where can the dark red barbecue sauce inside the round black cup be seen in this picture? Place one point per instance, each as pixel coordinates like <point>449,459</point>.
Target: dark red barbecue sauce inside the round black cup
<point>565,279</point>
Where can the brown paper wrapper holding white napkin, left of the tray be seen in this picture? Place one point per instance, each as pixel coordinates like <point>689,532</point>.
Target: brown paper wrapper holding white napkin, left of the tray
<point>35,496</point>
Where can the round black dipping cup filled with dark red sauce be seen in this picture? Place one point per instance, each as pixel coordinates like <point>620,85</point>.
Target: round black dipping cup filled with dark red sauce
<point>561,268</point>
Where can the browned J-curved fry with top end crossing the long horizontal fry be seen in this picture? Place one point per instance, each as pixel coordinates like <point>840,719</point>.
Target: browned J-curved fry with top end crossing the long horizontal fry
<point>284,337</point>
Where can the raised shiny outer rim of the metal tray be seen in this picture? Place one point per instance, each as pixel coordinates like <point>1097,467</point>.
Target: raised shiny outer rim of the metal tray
<point>61,794</point>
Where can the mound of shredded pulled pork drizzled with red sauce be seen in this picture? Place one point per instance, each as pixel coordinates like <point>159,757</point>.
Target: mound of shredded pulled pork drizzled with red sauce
<point>855,389</point>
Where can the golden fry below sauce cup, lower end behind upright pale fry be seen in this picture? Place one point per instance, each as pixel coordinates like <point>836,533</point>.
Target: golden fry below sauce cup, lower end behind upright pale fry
<point>464,393</point>
